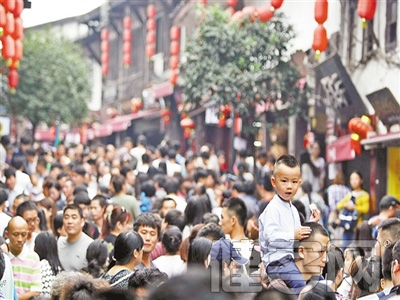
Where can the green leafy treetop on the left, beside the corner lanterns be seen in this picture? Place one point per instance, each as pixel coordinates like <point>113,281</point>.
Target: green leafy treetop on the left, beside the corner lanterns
<point>53,81</point>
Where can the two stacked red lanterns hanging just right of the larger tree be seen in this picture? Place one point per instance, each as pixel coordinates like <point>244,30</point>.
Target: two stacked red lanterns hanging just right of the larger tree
<point>320,40</point>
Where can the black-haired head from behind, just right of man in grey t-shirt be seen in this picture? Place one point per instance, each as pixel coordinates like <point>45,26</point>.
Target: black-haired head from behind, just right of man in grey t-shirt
<point>97,258</point>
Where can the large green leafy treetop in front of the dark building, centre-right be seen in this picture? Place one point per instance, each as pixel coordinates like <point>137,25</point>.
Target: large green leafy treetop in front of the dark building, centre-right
<point>241,63</point>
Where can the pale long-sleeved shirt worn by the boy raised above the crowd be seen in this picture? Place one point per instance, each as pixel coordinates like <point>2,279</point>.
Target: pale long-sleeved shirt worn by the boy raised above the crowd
<point>277,225</point>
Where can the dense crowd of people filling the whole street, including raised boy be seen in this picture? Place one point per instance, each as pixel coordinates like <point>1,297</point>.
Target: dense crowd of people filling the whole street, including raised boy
<point>146,222</point>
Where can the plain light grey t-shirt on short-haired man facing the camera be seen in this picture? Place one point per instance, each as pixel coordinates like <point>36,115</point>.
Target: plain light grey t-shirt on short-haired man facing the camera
<point>73,255</point>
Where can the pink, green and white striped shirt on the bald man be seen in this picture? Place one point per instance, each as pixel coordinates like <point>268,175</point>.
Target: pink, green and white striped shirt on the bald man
<point>26,269</point>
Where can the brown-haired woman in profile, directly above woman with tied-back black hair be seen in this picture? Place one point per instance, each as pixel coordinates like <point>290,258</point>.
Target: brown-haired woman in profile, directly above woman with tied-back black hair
<point>118,221</point>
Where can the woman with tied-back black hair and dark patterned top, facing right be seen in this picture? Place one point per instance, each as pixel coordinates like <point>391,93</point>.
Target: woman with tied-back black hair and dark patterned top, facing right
<point>128,254</point>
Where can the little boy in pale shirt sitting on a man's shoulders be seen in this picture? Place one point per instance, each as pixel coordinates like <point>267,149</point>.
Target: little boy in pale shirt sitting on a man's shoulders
<point>280,224</point>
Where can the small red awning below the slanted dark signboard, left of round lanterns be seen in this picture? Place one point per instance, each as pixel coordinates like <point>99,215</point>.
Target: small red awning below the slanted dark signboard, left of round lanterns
<point>340,150</point>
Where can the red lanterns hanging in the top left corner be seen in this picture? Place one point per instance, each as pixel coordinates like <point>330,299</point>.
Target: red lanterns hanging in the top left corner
<point>12,35</point>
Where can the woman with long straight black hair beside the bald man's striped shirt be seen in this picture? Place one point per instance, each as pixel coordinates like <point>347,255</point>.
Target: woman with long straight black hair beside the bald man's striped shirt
<point>50,265</point>
